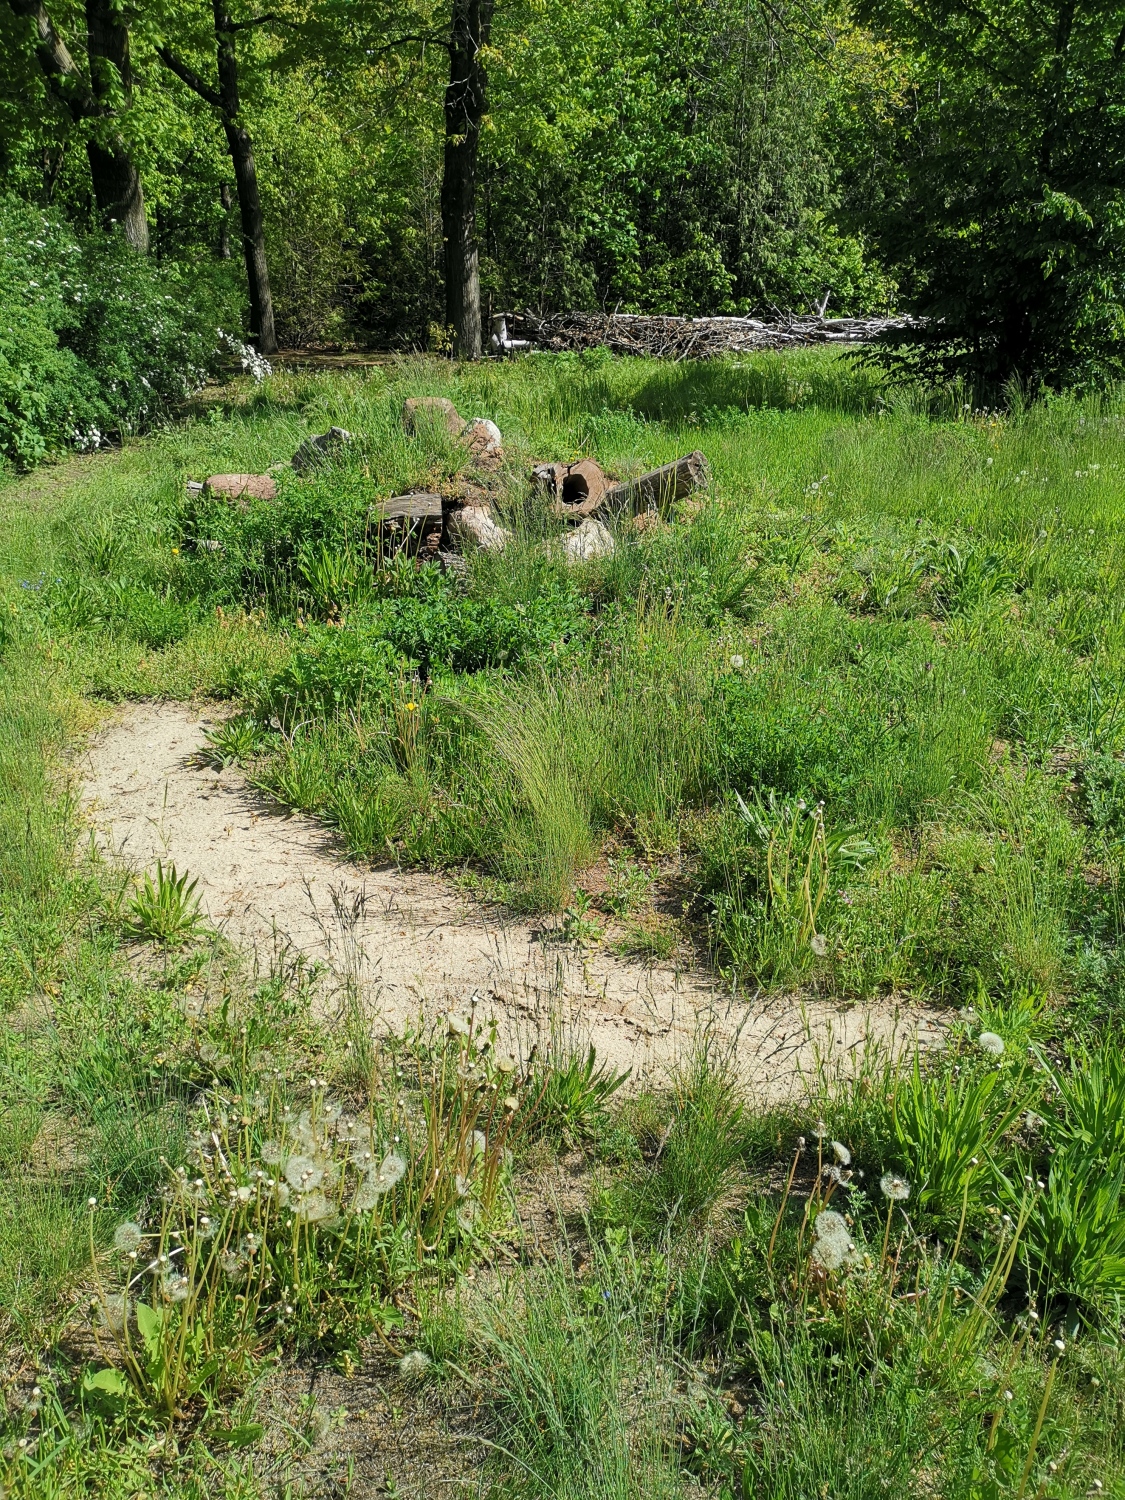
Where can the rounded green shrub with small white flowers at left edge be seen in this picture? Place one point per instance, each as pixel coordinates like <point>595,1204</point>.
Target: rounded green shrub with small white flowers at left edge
<point>95,340</point>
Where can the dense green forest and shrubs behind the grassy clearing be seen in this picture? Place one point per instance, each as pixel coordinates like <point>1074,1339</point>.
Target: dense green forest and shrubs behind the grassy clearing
<point>335,172</point>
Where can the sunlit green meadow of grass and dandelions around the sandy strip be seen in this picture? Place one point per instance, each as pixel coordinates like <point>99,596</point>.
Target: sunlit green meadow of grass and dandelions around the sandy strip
<point>848,725</point>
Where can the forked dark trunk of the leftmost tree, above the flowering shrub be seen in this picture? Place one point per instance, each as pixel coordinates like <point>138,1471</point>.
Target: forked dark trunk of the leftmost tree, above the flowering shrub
<point>92,103</point>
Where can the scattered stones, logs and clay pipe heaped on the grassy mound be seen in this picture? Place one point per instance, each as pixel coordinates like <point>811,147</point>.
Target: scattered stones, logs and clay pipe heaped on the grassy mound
<point>446,526</point>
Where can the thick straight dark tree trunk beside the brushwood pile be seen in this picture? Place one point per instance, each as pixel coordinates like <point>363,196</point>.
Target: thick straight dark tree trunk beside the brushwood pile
<point>466,109</point>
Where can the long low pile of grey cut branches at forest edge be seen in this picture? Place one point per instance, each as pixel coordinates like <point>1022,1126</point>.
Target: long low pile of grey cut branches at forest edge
<point>688,338</point>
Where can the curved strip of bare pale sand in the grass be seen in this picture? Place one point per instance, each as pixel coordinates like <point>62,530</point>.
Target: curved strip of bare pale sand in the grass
<point>415,943</point>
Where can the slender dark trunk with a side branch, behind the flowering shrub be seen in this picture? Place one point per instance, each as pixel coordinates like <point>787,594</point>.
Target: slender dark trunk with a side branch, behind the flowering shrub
<point>226,101</point>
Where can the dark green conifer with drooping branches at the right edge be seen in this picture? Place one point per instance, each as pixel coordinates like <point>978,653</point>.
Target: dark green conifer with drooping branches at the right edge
<point>1004,203</point>
